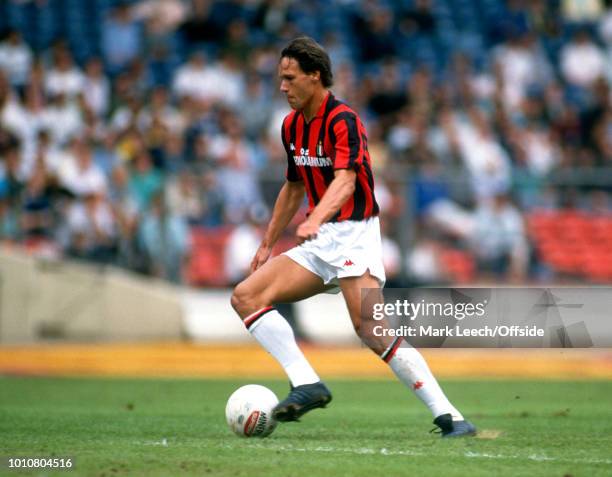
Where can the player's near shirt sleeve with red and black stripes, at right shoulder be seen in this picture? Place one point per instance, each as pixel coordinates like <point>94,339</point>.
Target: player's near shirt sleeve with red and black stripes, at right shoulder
<point>345,137</point>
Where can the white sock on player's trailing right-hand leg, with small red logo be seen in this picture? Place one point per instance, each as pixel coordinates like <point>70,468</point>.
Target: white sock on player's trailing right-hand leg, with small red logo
<point>411,369</point>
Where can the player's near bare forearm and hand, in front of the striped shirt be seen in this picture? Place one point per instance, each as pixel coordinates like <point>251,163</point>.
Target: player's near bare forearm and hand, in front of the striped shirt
<point>339,191</point>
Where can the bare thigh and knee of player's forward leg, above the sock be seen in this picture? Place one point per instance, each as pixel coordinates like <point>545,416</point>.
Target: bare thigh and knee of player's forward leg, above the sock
<point>280,280</point>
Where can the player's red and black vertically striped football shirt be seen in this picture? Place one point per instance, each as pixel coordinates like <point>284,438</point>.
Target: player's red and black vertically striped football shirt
<point>334,139</point>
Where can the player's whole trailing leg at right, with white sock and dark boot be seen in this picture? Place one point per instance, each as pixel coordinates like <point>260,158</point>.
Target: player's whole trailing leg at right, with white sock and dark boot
<point>406,362</point>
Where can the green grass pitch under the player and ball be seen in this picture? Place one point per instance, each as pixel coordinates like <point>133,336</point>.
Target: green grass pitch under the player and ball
<point>115,427</point>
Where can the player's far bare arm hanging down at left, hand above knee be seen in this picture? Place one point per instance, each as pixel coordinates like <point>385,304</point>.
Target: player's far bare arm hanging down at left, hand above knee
<point>287,204</point>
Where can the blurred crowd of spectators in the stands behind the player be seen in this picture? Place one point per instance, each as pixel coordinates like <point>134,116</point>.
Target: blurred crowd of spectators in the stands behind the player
<point>127,126</point>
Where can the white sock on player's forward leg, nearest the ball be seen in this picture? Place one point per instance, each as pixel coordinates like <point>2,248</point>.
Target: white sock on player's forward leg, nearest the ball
<point>273,332</point>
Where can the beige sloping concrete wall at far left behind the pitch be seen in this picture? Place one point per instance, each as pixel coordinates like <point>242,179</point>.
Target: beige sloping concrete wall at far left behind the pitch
<point>45,299</point>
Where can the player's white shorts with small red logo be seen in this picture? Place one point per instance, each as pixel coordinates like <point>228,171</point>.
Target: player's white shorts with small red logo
<point>343,249</point>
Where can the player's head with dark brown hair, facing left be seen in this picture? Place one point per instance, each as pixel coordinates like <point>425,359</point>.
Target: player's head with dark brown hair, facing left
<point>303,69</point>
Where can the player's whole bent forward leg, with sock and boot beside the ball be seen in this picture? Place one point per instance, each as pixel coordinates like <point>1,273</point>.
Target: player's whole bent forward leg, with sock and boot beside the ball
<point>282,280</point>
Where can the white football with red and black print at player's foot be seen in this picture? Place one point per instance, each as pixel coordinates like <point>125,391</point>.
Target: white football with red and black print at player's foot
<point>249,411</point>
